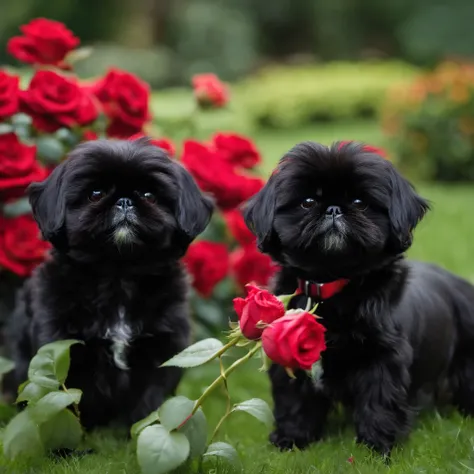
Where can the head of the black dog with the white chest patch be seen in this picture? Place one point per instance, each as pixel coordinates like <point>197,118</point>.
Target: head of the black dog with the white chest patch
<point>120,199</point>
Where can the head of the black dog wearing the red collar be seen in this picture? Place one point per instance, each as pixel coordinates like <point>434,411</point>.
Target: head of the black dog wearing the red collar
<point>334,211</point>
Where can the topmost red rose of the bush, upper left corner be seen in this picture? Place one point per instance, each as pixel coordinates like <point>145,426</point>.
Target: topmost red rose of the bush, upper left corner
<point>44,42</point>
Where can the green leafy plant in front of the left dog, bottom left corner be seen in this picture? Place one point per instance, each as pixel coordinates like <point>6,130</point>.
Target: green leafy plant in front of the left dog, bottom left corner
<point>50,419</point>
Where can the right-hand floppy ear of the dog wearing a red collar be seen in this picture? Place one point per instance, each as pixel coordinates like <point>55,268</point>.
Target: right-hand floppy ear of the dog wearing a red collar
<point>406,209</point>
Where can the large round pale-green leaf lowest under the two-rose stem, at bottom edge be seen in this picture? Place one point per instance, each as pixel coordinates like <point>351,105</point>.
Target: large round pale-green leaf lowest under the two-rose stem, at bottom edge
<point>160,451</point>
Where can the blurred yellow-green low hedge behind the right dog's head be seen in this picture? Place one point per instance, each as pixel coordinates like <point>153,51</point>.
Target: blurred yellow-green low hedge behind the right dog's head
<point>293,96</point>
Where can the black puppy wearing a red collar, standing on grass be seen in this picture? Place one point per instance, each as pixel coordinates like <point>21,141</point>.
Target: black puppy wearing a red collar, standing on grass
<point>339,220</point>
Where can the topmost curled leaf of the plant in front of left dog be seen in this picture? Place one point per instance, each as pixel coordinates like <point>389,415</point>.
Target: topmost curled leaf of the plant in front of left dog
<point>49,367</point>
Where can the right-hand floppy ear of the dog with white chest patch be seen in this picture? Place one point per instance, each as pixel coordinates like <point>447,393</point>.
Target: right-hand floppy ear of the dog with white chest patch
<point>194,209</point>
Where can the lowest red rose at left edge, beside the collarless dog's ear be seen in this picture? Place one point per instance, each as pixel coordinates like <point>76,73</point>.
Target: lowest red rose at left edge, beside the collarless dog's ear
<point>21,249</point>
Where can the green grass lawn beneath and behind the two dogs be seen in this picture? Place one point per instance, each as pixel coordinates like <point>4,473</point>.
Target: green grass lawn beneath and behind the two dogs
<point>439,443</point>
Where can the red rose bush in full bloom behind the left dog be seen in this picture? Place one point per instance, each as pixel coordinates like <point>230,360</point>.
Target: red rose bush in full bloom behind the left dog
<point>42,120</point>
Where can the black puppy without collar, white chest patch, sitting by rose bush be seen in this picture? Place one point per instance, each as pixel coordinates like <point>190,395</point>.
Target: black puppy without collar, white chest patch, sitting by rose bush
<point>120,215</point>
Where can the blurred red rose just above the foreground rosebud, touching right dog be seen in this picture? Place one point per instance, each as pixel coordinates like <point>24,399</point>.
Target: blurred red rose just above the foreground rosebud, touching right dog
<point>250,265</point>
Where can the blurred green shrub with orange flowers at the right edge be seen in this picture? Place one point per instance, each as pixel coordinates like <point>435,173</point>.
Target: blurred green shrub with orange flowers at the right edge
<point>431,124</point>
